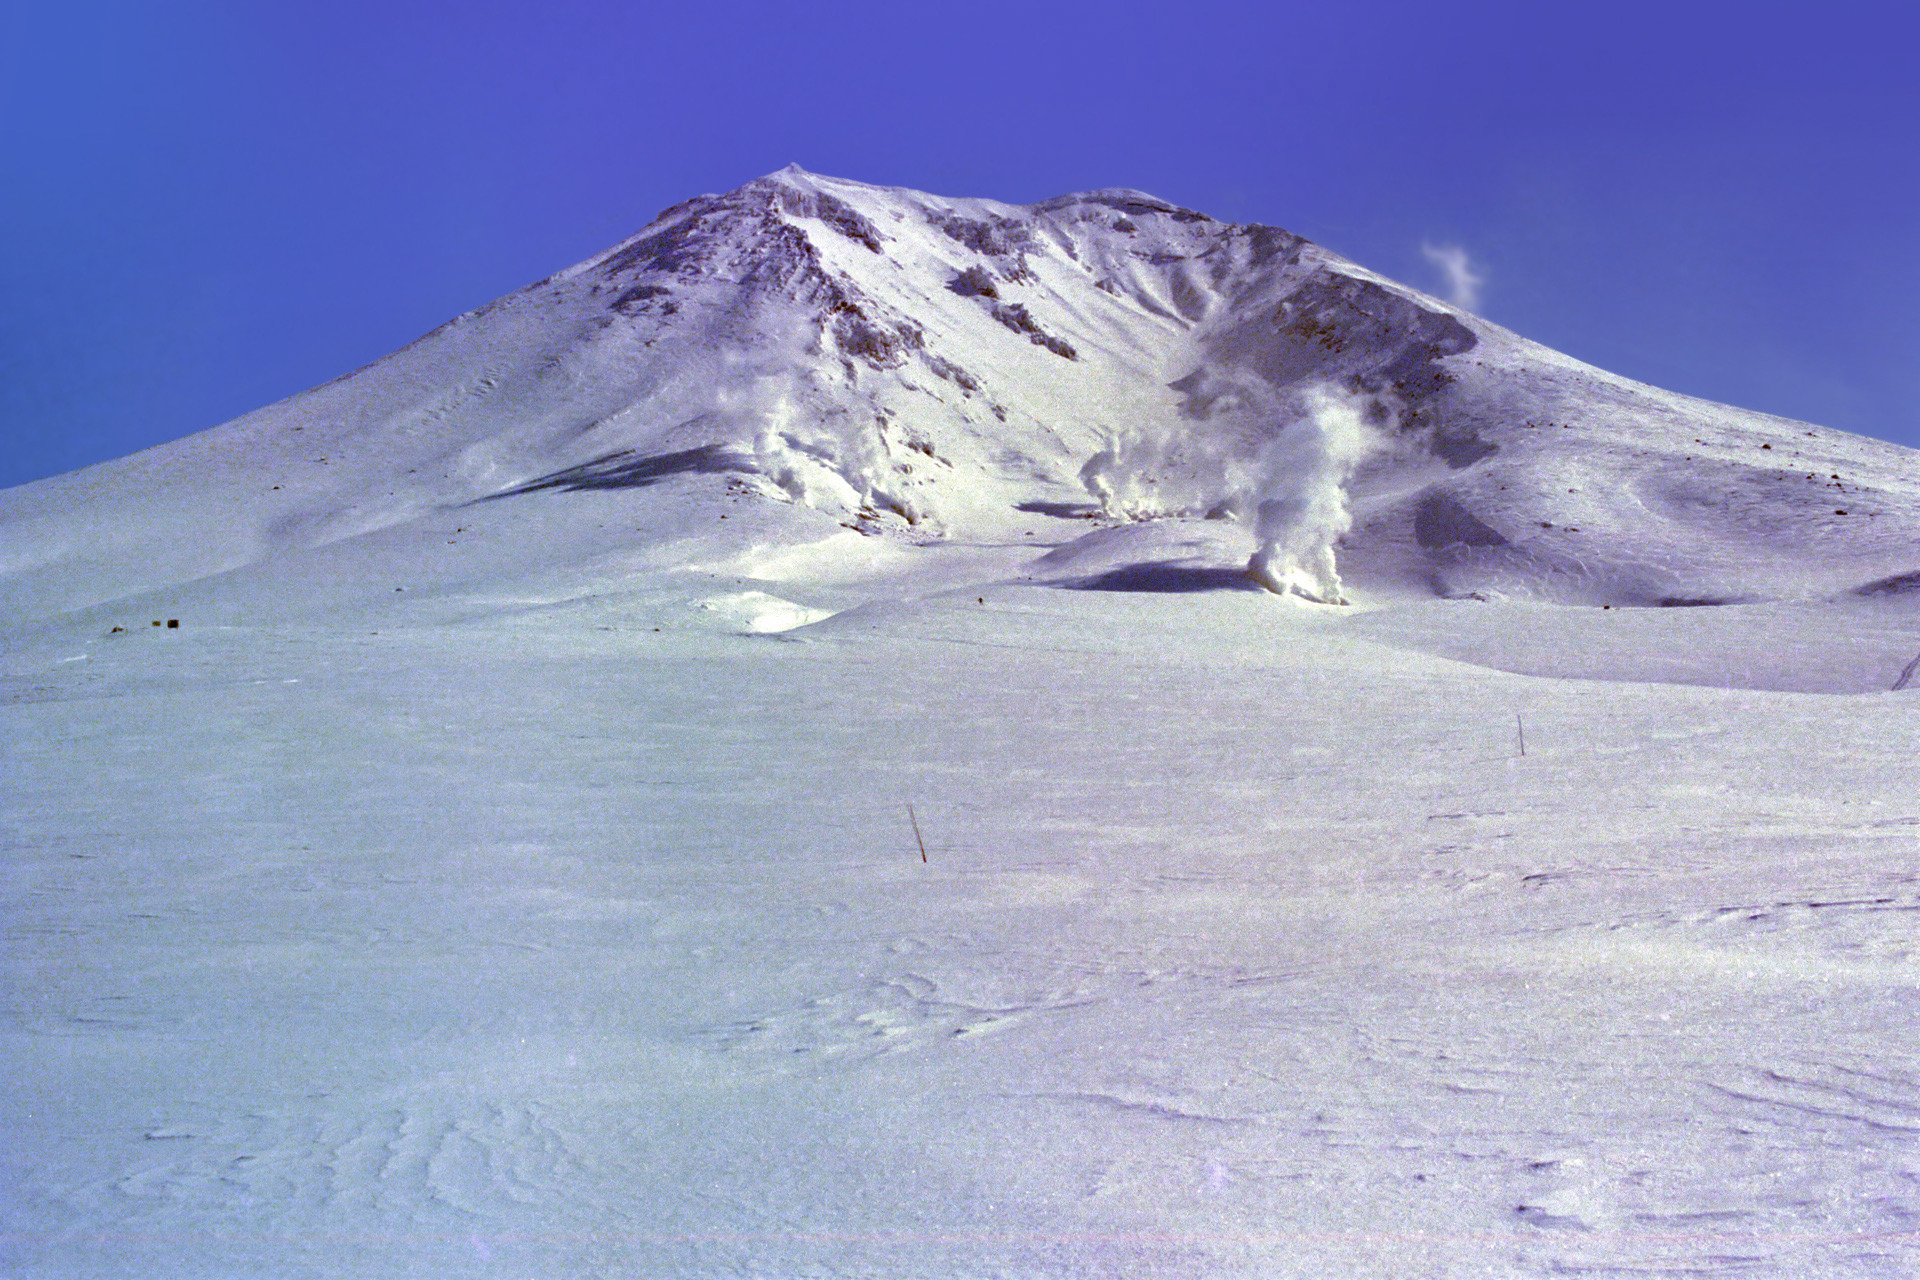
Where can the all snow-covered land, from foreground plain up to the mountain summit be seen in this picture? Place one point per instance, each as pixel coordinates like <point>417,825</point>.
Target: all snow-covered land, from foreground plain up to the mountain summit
<point>506,866</point>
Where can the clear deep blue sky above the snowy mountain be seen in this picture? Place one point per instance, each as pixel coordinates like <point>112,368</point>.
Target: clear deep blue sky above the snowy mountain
<point>212,204</point>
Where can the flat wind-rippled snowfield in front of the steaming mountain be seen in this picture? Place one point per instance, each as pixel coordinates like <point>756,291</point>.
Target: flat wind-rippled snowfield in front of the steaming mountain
<point>1247,943</point>
